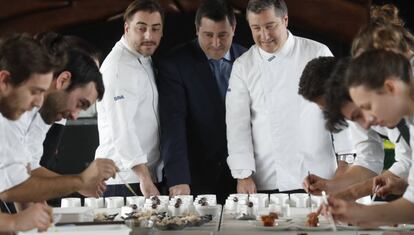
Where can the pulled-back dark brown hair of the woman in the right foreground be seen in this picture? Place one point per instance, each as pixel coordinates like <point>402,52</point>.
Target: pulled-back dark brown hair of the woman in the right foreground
<point>372,68</point>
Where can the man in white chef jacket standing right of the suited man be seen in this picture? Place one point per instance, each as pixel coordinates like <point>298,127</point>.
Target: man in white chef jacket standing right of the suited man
<point>274,136</point>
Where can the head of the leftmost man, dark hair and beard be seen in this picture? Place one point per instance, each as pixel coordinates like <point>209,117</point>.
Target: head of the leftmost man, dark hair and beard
<point>14,53</point>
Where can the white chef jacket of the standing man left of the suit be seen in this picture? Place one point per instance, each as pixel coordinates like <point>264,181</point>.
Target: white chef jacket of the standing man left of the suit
<point>128,113</point>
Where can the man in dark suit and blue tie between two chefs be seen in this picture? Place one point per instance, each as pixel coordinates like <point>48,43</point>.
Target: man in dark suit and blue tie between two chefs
<point>192,85</point>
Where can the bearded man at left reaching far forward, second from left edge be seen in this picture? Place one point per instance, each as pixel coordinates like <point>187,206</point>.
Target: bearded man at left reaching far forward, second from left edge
<point>74,87</point>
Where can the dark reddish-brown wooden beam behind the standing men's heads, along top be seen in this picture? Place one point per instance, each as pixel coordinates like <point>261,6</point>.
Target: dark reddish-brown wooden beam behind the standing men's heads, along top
<point>338,19</point>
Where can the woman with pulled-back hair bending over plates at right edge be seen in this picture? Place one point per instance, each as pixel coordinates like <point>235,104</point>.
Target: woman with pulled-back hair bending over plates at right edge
<point>381,83</point>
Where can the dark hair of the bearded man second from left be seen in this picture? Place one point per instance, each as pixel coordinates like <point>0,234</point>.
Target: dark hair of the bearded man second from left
<point>83,71</point>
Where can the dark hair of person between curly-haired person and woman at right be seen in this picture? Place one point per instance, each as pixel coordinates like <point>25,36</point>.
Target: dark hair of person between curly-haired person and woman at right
<point>336,96</point>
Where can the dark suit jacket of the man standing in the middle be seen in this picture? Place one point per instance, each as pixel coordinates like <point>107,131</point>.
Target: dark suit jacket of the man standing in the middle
<point>192,116</point>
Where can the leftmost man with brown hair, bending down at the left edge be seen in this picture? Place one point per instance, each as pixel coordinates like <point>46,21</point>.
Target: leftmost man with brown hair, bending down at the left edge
<point>25,73</point>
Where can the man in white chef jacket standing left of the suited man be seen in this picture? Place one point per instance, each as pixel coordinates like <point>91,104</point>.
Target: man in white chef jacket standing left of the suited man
<point>128,121</point>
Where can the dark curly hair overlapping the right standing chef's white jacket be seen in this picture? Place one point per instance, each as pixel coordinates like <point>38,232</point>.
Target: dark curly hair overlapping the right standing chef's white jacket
<point>314,76</point>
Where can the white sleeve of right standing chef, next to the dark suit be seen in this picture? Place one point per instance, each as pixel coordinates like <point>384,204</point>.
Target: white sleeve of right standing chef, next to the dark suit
<point>238,120</point>
